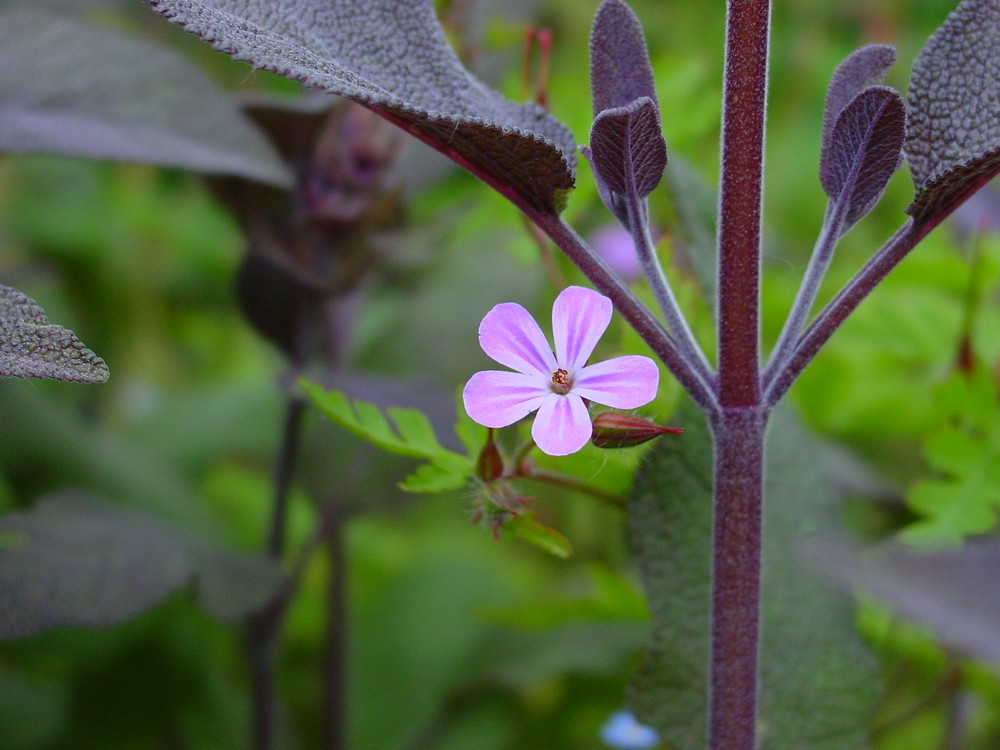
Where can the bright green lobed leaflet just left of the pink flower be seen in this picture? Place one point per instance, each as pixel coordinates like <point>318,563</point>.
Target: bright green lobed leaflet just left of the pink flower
<point>406,432</point>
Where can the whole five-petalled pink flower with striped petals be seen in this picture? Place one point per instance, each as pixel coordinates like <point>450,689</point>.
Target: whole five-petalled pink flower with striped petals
<point>554,383</point>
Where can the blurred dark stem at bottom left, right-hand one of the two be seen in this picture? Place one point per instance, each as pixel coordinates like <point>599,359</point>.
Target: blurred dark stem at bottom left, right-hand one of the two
<point>335,658</point>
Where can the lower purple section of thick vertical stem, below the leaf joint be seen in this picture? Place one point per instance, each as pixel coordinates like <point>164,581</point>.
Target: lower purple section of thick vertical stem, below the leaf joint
<point>739,476</point>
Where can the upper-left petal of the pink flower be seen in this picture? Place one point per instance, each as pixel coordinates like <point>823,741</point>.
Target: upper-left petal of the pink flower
<point>511,336</point>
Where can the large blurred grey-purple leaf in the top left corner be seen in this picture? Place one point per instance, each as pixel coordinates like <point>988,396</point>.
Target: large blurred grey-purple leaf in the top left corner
<point>78,90</point>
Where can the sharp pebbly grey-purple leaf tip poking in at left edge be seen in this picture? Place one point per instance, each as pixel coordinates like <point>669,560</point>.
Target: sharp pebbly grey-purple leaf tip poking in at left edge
<point>31,347</point>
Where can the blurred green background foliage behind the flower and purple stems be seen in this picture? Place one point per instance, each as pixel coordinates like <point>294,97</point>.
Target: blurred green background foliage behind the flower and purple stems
<point>456,641</point>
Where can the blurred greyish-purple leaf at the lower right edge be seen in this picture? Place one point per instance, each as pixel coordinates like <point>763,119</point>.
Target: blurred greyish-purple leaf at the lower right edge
<point>954,591</point>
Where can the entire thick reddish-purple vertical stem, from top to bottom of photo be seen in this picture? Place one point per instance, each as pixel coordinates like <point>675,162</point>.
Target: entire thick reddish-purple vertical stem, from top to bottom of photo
<point>739,423</point>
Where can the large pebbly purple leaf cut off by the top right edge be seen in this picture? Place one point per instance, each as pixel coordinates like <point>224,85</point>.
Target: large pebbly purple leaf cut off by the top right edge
<point>953,117</point>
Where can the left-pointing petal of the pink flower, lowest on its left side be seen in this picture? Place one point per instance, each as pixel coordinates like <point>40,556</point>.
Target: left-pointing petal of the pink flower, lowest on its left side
<point>494,398</point>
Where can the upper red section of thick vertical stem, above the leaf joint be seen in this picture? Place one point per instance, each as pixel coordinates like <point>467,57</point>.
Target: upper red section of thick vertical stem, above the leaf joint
<point>744,107</point>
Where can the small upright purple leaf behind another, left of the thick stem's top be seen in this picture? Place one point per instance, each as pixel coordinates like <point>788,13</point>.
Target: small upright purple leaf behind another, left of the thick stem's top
<point>620,71</point>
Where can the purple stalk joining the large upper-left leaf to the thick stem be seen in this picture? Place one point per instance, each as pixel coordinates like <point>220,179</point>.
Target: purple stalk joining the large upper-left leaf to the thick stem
<point>630,308</point>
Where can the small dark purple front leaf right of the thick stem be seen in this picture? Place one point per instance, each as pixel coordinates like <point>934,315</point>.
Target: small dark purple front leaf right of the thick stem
<point>863,151</point>
